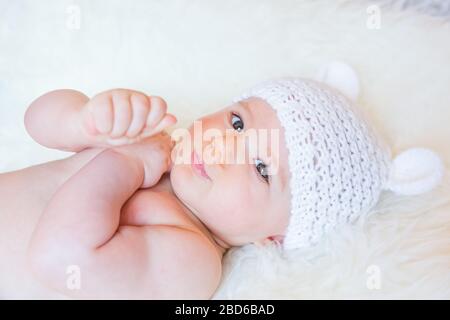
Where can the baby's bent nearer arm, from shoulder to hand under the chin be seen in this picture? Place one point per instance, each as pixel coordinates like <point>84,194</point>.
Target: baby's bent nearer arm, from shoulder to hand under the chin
<point>80,227</point>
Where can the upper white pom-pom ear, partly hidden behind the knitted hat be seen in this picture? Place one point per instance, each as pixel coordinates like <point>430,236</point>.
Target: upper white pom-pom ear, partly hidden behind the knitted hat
<point>340,76</point>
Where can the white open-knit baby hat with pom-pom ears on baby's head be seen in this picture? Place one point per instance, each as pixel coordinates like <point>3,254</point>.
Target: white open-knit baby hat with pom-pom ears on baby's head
<point>338,166</point>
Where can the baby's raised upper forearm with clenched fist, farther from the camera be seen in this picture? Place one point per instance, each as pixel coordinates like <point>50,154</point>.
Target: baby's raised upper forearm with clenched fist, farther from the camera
<point>68,120</point>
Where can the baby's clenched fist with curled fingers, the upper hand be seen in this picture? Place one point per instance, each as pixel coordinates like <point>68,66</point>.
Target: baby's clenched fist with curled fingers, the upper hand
<point>122,116</point>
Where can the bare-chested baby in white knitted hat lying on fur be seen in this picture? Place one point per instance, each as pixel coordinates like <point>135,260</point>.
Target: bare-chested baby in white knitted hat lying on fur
<point>133,215</point>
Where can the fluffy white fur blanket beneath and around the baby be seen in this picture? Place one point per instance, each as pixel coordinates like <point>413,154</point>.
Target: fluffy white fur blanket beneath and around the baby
<point>199,54</point>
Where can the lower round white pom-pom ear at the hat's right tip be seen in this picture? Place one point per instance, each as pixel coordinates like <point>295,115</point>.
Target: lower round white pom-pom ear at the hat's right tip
<point>415,171</point>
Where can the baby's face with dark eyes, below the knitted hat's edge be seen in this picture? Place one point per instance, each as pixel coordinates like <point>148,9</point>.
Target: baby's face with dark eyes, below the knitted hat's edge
<point>239,200</point>
